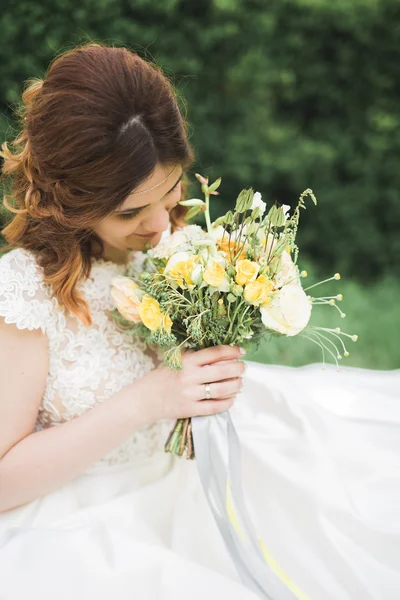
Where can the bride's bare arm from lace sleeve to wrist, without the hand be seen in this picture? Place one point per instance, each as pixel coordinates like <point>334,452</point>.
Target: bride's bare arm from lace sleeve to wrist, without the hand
<point>33,464</point>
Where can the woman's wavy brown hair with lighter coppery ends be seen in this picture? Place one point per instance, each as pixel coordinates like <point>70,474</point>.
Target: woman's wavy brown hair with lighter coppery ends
<point>91,132</point>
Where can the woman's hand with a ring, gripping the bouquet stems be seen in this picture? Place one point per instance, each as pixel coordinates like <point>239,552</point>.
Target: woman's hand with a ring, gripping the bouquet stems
<point>179,394</point>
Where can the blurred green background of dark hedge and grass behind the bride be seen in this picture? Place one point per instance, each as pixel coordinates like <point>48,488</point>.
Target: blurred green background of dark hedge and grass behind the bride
<point>281,95</point>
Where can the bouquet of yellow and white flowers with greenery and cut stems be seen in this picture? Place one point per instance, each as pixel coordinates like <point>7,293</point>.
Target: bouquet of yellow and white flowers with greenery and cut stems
<point>234,283</point>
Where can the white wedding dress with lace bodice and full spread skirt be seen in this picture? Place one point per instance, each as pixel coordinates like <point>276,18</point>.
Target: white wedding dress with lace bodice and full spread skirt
<point>320,464</point>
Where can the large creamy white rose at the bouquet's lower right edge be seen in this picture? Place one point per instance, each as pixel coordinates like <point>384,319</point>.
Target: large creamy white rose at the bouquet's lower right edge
<point>288,312</point>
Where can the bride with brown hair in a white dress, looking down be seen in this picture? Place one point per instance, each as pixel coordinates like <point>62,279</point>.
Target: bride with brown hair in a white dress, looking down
<point>91,506</point>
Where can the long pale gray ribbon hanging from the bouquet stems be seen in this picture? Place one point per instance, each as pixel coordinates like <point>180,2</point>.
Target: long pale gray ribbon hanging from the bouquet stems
<point>217,450</point>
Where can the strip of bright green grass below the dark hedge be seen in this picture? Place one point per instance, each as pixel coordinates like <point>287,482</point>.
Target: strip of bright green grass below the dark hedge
<point>372,312</point>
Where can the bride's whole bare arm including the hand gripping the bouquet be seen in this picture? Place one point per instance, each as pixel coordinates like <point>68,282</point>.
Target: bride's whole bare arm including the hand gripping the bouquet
<point>33,464</point>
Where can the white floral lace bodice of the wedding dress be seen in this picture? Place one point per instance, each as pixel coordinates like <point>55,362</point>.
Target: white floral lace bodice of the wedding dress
<point>86,364</point>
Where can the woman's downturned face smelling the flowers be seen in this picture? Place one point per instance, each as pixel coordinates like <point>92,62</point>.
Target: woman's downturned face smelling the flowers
<point>143,217</point>
